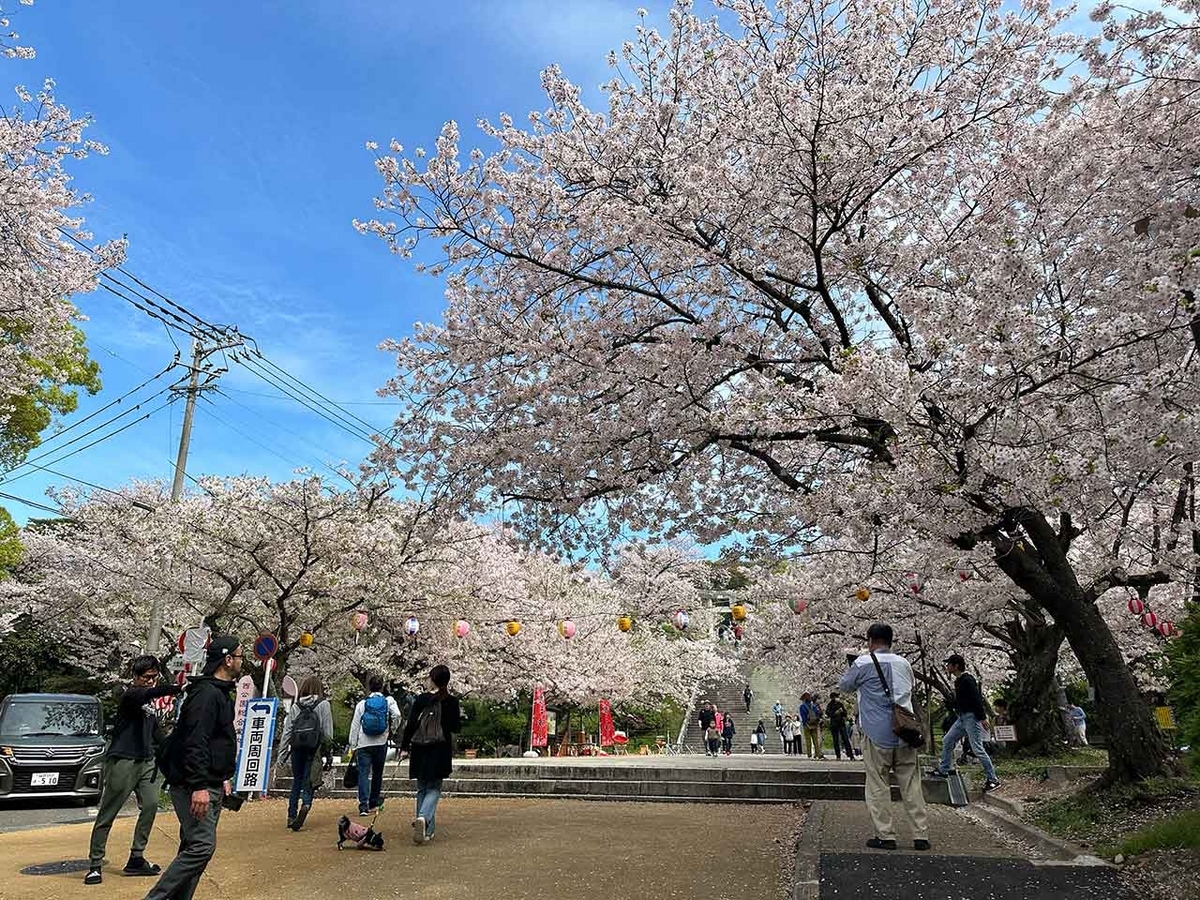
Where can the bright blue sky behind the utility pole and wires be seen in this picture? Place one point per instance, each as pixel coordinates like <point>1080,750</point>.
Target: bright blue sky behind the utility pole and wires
<point>237,164</point>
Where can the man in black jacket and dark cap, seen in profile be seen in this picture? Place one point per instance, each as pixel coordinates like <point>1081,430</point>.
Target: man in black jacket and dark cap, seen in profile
<point>199,761</point>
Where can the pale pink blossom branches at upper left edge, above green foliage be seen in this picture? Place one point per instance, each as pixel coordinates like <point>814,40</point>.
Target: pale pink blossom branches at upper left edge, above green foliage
<point>40,346</point>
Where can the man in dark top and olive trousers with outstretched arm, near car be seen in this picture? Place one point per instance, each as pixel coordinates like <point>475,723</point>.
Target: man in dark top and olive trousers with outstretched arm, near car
<point>130,769</point>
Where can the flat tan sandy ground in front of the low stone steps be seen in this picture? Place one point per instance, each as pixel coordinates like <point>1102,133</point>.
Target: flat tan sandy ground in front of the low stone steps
<point>502,850</point>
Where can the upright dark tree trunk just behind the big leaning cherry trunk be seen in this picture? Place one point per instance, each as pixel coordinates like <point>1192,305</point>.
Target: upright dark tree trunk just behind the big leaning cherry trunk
<point>1034,710</point>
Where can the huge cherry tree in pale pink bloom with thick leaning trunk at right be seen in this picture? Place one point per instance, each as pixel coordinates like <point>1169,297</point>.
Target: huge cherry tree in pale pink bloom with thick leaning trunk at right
<point>835,269</point>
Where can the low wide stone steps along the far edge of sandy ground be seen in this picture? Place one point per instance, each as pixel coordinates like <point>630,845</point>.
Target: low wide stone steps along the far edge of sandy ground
<point>646,779</point>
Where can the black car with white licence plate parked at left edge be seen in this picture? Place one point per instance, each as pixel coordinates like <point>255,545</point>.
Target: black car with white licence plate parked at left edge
<point>52,746</point>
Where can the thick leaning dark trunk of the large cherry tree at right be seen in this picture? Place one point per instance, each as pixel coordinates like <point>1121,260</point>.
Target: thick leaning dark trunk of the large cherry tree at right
<point>1137,749</point>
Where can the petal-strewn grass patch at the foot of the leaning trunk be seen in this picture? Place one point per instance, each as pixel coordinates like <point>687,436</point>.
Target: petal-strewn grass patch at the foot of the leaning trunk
<point>1111,817</point>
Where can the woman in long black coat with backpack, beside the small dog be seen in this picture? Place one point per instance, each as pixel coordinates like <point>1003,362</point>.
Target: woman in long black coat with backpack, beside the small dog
<point>428,741</point>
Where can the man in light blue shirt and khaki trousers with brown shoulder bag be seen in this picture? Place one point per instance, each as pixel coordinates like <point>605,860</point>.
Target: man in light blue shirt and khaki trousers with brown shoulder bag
<point>883,751</point>
